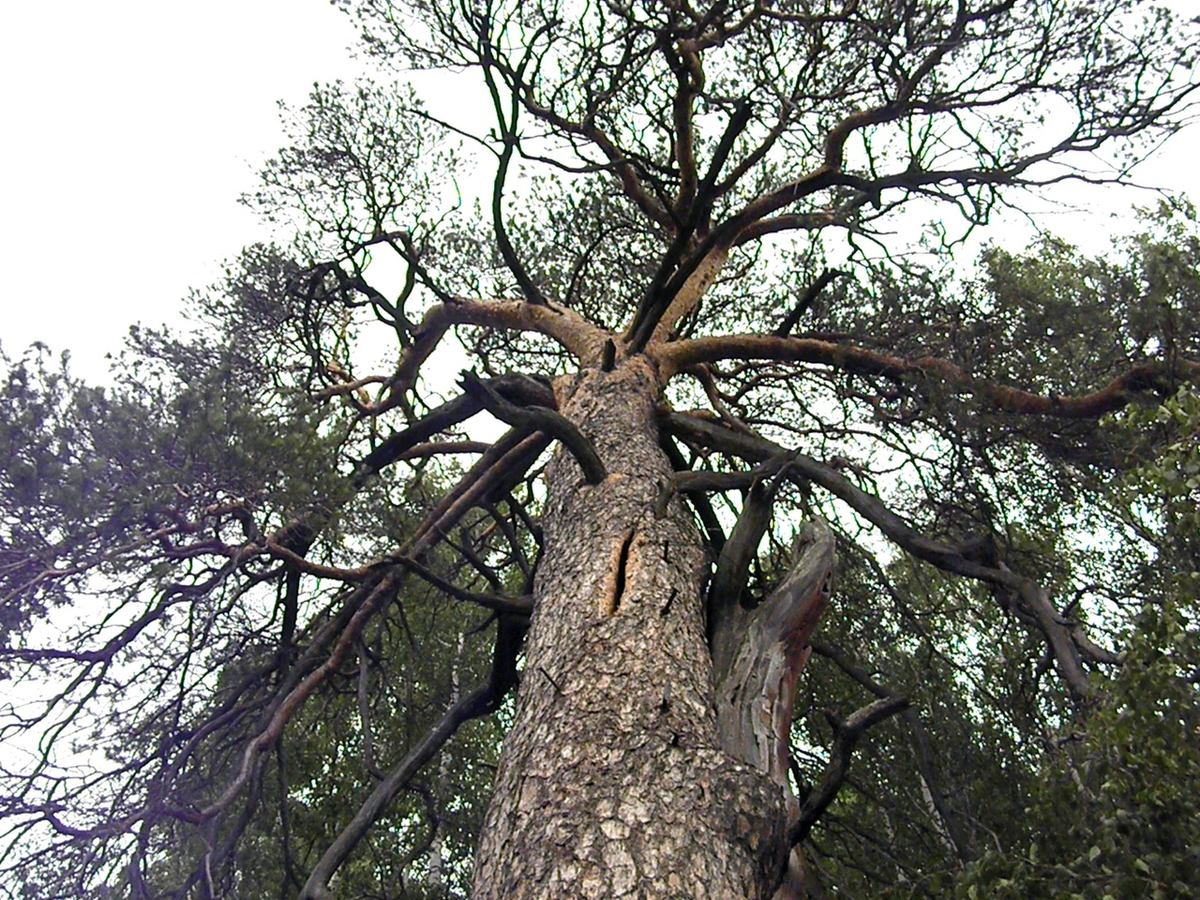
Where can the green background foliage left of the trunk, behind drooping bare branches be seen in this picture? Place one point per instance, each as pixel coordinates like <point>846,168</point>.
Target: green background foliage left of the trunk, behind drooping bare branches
<point>411,669</point>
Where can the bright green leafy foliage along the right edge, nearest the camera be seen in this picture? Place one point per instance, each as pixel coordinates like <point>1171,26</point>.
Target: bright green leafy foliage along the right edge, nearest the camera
<point>1114,812</point>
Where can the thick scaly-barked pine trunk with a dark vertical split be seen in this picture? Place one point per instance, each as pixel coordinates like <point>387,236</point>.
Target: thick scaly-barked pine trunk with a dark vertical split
<point>614,783</point>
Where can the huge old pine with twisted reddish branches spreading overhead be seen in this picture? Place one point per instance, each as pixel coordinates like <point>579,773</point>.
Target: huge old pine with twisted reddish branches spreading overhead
<point>214,567</point>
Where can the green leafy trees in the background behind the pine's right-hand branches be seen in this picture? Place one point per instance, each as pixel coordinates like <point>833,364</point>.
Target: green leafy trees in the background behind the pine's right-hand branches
<point>997,783</point>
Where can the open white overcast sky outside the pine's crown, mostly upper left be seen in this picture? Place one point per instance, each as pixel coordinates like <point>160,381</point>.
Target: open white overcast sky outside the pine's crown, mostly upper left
<point>130,128</point>
